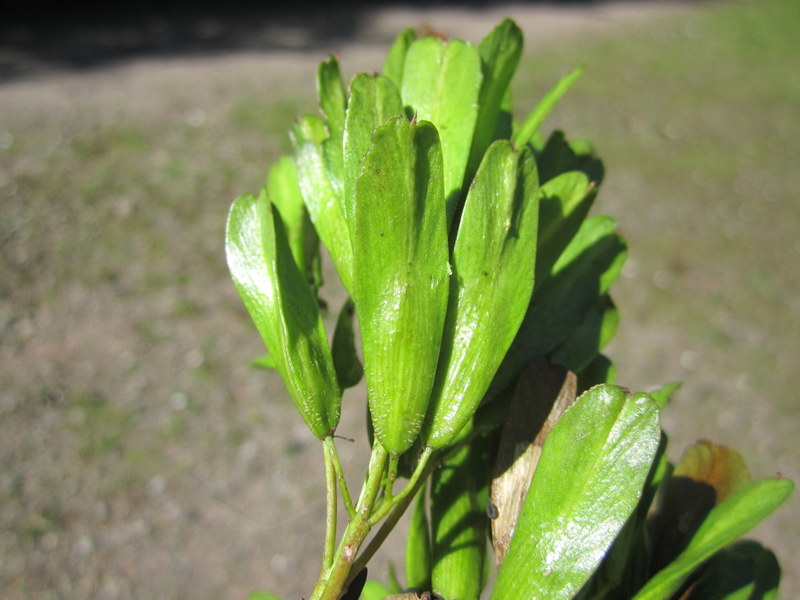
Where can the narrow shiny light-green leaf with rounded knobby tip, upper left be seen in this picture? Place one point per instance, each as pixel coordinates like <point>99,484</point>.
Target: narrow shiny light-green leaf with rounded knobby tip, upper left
<point>323,200</point>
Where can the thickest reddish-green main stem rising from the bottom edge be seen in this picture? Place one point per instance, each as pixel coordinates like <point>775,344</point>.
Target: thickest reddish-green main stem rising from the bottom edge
<point>331,586</point>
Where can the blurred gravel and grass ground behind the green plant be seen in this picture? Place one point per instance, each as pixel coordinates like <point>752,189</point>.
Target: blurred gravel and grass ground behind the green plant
<point>143,458</point>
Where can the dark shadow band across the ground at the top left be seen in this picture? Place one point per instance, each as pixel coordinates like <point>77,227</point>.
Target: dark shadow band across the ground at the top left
<point>40,35</point>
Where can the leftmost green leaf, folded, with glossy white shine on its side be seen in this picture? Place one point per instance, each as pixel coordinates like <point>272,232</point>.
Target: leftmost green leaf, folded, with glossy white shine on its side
<point>283,308</point>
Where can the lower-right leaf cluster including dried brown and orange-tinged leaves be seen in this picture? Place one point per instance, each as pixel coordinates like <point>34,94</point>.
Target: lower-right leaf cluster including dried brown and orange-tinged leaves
<point>606,516</point>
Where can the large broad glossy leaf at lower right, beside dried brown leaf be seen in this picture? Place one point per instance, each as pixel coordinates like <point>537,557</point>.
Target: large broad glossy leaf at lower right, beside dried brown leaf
<point>588,481</point>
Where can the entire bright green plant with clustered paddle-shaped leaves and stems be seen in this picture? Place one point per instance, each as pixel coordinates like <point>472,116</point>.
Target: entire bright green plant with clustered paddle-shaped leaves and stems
<point>480,285</point>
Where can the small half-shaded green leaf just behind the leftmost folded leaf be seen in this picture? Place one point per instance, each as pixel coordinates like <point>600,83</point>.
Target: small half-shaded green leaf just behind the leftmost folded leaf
<point>284,191</point>
